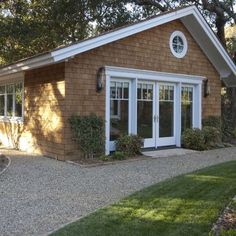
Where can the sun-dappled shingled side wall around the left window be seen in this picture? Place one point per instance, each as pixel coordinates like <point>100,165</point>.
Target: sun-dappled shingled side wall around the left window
<point>42,130</point>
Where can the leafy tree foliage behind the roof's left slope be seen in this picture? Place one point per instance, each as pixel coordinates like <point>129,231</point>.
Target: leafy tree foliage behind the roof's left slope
<point>29,27</point>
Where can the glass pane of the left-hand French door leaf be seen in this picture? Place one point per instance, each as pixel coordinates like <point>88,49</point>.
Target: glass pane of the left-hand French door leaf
<point>145,110</point>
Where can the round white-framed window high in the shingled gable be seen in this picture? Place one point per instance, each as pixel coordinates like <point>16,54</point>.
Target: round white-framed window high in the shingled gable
<point>178,44</point>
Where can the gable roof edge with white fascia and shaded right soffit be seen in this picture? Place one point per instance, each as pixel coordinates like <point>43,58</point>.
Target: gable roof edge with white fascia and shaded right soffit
<point>190,17</point>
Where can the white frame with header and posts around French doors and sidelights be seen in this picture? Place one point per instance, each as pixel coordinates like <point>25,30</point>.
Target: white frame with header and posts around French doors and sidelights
<point>134,75</point>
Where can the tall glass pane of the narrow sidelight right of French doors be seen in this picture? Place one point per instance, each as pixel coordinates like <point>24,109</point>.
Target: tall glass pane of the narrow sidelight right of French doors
<point>186,108</point>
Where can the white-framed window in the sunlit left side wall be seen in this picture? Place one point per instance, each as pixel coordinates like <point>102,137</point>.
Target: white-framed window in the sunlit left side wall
<point>11,100</point>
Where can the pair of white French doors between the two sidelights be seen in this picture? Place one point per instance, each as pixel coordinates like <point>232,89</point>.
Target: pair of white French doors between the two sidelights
<point>156,112</point>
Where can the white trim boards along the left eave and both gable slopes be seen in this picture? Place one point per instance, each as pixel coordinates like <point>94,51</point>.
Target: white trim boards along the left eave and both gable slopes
<point>63,54</point>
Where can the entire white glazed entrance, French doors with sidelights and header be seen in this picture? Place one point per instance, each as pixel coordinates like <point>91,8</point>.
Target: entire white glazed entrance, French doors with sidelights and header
<point>155,105</point>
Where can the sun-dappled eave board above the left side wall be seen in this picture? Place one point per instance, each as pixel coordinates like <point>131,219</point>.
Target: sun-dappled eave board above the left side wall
<point>27,64</point>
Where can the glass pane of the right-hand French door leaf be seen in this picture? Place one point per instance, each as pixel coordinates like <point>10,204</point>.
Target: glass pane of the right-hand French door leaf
<point>166,111</point>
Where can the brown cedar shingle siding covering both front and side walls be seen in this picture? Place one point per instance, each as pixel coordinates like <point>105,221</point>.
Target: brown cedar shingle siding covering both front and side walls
<point>54,93</point>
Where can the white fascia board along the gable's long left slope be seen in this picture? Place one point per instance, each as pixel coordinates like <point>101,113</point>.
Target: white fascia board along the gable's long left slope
<point>89,44</point>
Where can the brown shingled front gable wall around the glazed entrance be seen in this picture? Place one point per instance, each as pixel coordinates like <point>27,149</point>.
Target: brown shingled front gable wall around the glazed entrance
<point>148,50</point>
